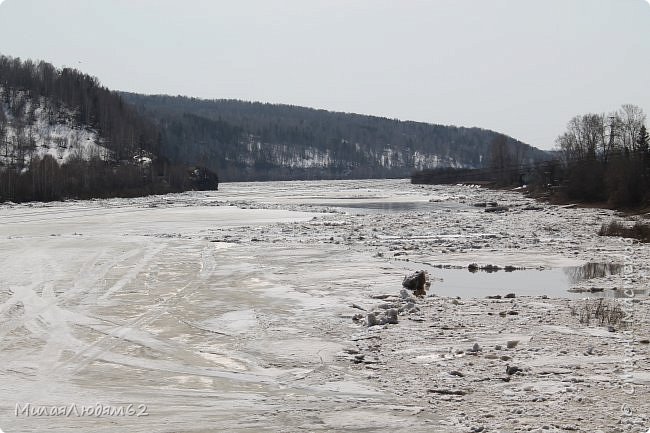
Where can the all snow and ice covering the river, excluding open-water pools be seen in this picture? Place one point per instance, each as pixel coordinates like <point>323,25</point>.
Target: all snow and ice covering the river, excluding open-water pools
<point>231,310</point>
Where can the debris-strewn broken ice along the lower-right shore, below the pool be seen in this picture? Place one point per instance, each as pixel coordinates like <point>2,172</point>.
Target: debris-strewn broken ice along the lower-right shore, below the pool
<point>451,358</point>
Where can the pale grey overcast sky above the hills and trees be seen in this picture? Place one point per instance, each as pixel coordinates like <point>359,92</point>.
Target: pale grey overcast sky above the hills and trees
<point>521,67</point>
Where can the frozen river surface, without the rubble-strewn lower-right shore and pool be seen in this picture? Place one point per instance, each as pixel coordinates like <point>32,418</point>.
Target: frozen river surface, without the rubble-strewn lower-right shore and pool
<point>225,311</point>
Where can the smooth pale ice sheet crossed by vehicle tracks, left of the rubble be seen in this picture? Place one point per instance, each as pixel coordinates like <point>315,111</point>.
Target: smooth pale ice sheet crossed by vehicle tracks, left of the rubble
<point>116,303</point>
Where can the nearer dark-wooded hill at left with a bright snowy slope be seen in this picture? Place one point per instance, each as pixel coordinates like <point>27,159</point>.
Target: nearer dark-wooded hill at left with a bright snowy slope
<point>63,135</point>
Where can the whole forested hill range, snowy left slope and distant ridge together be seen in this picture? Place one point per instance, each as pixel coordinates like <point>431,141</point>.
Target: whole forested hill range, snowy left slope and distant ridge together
<point>63,135</point>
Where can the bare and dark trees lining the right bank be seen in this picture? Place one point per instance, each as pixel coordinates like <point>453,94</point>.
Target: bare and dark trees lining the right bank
<point>600,158</point>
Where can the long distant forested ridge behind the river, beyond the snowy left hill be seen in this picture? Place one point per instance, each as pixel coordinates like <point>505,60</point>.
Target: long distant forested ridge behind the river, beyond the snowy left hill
<point>256,141</point>
